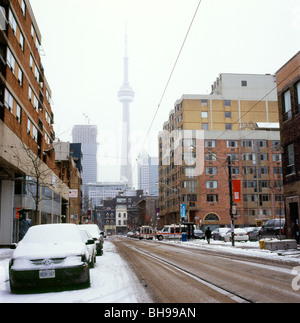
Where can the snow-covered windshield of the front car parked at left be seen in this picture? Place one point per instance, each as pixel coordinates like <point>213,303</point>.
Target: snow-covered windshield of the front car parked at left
<point>52,233</point>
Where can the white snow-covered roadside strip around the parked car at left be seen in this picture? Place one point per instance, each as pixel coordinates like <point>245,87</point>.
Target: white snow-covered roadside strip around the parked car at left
<point>111,282</point>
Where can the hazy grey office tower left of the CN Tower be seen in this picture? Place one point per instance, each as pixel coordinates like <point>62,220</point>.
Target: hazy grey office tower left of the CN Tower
<point>87,136</point>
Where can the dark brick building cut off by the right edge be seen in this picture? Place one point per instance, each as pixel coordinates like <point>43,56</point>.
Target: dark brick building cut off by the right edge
<point>288,79</point>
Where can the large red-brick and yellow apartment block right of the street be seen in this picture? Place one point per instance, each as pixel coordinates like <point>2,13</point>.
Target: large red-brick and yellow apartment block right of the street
<point>238,119</point>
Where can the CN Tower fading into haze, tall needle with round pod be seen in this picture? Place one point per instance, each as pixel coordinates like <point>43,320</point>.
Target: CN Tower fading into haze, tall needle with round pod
<point>126,96</point>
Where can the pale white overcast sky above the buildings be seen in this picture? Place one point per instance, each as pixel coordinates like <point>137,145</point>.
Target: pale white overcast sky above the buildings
<point>83,42</point>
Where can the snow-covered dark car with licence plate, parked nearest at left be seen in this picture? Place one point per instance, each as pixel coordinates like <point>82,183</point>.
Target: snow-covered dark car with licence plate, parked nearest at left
<point>49,255</point>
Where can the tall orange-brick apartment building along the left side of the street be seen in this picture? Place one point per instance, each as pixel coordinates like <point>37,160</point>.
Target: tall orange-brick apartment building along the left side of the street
<point>29,180</point>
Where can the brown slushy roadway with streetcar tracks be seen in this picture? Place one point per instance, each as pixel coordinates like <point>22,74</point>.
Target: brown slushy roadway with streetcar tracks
<point>177,274</point>
